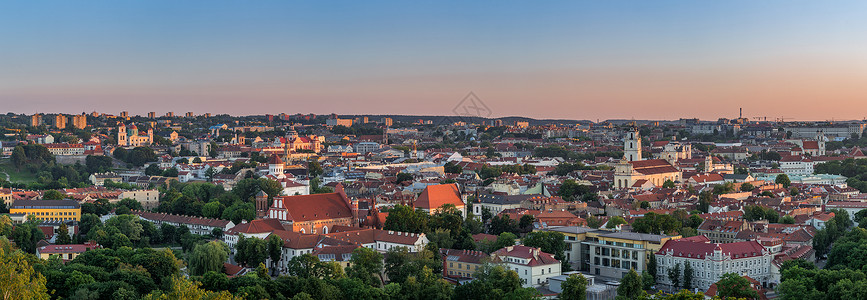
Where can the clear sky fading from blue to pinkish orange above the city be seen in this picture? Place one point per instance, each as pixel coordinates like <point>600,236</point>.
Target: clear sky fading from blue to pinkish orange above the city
<point>592,60</point>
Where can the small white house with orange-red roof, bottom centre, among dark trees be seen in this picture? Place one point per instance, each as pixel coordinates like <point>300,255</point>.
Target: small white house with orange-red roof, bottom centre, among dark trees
<point>532,265</point>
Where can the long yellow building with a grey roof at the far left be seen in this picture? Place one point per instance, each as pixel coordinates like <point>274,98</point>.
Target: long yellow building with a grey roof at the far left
<point>48,210</point>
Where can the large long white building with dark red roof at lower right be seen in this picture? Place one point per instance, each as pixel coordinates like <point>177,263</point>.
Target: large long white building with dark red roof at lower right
<point>710,261</point>
